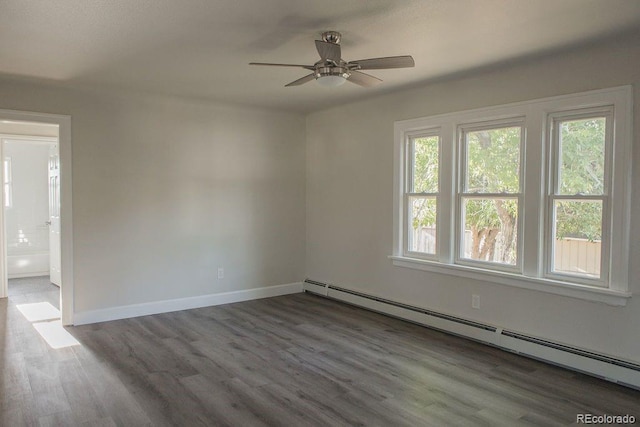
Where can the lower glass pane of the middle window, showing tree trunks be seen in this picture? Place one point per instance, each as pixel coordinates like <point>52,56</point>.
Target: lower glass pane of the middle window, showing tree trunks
<point>490,230</point>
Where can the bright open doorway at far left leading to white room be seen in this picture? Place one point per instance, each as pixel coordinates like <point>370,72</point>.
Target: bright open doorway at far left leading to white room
<point>31,210</point>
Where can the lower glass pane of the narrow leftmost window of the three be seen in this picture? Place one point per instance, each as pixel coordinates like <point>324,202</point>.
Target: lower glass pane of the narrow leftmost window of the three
<point>422,233</point>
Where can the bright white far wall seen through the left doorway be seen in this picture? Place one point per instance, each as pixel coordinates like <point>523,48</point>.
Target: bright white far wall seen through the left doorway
<point>27,234</point>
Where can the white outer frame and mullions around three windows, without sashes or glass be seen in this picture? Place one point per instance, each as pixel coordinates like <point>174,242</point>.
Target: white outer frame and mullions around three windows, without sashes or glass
<point>536,116</point>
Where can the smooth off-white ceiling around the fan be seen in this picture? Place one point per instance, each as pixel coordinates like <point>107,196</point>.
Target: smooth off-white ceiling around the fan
<point>201,48</point>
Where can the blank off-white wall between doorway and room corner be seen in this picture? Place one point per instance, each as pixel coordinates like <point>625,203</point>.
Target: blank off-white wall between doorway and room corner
<point>166,190</point>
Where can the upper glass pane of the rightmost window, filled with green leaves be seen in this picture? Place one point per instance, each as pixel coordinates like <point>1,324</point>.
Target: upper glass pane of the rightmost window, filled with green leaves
<point>582,151</point>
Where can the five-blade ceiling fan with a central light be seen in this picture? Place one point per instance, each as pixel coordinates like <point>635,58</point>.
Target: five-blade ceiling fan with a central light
<point>332,70</point>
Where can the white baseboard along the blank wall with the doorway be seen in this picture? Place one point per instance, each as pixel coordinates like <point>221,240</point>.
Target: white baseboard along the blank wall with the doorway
<point>157,307</point>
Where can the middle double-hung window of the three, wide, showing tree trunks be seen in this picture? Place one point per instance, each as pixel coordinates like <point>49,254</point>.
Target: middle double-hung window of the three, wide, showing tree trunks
<point>490,193</point>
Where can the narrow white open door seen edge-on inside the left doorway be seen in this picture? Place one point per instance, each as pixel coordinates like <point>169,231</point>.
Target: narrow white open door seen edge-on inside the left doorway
<point>55,260</point>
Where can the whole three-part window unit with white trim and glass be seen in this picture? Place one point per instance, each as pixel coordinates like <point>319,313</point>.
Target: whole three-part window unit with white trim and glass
<point>534,194</point>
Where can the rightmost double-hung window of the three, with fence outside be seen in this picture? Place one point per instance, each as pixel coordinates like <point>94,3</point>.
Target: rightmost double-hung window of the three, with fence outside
<point>578,196</point>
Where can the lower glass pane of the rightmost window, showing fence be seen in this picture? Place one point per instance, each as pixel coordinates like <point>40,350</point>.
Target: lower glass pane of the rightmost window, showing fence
<point>578,235</point>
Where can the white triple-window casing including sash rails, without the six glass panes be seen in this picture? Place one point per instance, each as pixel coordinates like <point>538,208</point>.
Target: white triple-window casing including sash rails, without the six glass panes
<point>538,182</point>
